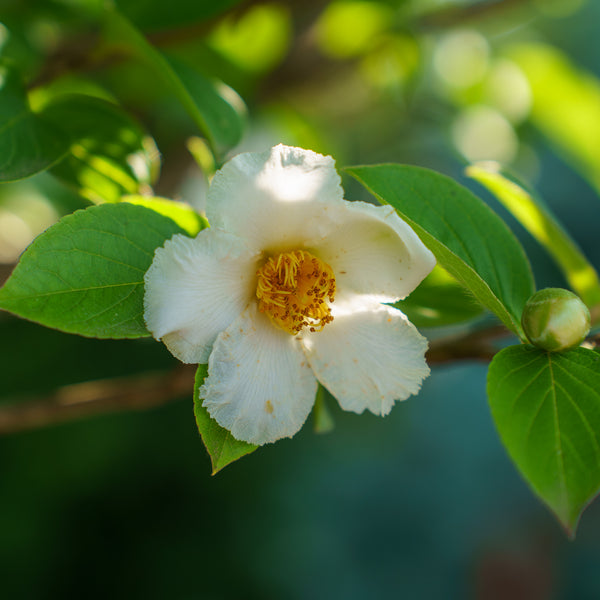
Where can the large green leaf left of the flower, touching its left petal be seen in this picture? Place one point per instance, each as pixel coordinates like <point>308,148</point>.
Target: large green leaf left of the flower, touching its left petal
<point>85,274</point>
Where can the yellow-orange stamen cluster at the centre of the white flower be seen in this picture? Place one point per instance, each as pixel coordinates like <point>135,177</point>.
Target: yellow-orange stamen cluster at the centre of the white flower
<point>293,289</point>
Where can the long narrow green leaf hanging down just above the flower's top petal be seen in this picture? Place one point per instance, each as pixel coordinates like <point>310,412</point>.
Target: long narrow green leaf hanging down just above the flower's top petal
<point>215,108</point>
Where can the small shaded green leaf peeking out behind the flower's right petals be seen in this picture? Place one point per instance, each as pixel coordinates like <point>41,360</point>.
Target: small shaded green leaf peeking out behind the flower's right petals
<point>439,301</point>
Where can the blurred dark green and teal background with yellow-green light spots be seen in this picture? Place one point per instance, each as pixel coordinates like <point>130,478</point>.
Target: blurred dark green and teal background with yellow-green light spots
<point>422,504</point>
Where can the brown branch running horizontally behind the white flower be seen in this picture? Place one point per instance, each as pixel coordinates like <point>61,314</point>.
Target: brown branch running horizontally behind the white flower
<point>149,390</point>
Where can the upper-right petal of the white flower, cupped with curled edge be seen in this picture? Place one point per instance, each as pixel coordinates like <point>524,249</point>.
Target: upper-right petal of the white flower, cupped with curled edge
<point>373,251</point>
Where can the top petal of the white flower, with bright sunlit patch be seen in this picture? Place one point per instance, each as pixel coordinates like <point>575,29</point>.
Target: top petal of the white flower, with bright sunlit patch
<point>276,199</point>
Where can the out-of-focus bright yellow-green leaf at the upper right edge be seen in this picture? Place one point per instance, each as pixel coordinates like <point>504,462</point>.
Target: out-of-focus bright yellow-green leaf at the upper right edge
<point>566,105</point>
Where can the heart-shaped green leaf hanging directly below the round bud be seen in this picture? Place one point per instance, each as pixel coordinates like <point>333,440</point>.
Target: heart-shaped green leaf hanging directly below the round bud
<point>547,410</point>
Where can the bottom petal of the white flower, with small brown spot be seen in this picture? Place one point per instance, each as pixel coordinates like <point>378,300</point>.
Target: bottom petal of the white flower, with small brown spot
<point>259,384</point>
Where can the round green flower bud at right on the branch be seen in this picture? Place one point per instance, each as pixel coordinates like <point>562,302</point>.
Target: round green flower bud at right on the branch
<point>555,320</point>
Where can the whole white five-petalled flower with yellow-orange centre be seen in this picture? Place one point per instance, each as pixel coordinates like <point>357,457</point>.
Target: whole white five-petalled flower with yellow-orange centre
<point>285,289</point>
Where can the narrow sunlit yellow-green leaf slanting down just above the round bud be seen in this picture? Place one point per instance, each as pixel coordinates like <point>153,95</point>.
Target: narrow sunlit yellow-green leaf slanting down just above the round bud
<point>544,227</point>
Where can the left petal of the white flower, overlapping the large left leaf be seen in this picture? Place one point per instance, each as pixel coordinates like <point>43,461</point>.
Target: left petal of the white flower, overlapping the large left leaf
<point>195,288</point>
